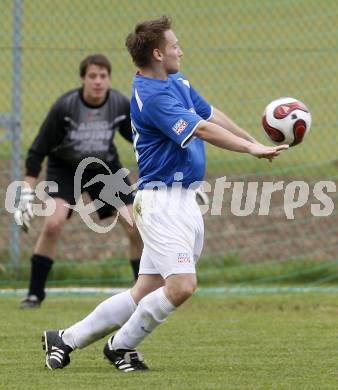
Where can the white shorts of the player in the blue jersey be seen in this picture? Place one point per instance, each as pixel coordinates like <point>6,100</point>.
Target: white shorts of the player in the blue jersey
<point>172,229</point>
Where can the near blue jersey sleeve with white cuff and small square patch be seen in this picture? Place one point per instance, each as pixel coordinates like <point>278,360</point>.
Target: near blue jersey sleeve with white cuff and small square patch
<point>167,114</point>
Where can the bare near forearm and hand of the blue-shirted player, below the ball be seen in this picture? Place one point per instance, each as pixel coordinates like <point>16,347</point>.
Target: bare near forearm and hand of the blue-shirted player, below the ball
<point>225,139</point>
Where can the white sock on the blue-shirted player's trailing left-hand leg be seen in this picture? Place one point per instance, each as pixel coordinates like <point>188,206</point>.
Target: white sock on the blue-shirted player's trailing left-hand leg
<point>109,315</point>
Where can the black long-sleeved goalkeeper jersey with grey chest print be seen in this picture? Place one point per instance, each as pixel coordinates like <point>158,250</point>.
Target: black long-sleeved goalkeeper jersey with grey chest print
<point>74,130</point>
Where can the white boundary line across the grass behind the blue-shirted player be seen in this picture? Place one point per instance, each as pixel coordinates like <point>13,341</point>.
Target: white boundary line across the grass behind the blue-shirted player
<point>200,291</point>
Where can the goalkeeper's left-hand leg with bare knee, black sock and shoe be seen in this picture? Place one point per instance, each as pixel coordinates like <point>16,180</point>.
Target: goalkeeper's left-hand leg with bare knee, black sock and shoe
<point>44,252</point>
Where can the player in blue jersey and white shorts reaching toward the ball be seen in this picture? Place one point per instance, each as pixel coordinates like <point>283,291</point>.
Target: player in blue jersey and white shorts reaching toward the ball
<point>171,122</point>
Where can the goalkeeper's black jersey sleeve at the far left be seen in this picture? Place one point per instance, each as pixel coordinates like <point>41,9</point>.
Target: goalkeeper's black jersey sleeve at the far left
<point>50,135</point>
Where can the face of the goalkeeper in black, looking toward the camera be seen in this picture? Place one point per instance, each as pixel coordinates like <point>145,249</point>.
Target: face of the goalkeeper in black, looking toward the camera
<point>95,83</point>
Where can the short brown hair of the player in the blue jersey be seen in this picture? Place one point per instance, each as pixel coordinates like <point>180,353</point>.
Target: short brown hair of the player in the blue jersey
<point>147,36</point>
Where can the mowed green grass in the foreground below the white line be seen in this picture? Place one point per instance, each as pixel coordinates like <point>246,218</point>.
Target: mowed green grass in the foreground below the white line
<point>278,341</point>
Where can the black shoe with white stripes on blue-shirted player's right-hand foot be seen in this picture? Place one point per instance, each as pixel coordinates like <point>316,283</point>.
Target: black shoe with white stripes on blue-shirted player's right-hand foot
<point>126,360</point>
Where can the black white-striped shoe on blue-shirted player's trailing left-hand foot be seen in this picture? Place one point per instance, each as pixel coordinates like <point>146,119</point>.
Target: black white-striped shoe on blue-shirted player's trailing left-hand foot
<point>57,352</point>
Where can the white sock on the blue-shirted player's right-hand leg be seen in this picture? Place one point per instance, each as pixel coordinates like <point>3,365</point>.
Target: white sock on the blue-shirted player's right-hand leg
<point>151,311</point>
